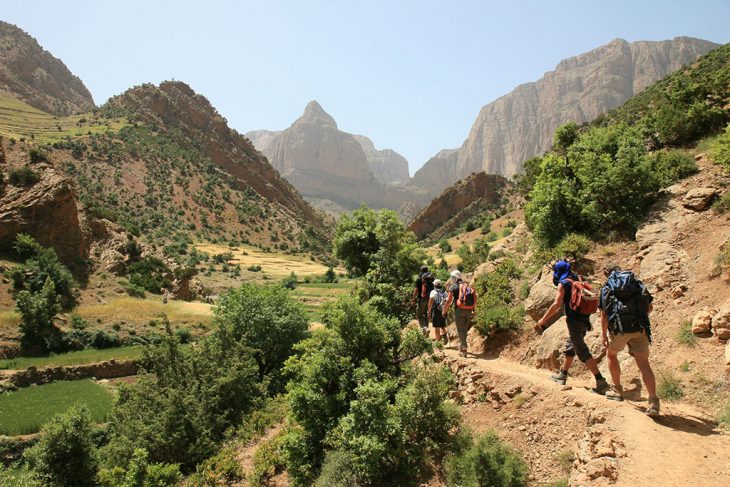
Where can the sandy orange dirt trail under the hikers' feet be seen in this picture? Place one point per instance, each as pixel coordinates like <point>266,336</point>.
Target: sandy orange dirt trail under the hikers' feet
<point>682,447</point>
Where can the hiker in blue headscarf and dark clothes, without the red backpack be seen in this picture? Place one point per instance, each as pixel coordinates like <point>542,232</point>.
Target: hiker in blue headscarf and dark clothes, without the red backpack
<point>578,325</point>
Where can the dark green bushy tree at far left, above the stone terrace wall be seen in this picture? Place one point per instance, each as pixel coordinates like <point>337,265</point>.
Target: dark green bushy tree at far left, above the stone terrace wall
<point>37,311</point>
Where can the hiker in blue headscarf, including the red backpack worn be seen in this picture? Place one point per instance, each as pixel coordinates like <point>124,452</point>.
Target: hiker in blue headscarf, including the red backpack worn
<point>574,296</point>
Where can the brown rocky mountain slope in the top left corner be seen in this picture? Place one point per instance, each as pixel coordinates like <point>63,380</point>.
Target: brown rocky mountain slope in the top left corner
<point>33,75</point>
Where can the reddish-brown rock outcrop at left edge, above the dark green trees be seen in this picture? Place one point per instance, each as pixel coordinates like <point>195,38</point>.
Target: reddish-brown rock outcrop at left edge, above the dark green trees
<point>47,211</point>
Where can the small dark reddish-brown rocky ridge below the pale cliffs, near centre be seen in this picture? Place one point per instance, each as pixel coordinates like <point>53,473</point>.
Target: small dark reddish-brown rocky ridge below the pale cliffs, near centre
<point>457,203</point>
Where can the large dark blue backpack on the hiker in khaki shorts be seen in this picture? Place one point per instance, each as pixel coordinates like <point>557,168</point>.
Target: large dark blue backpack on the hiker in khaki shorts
<point>625,305</point>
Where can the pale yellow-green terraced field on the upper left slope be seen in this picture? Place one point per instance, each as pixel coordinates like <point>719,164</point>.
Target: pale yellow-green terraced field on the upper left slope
<point>19,120</point>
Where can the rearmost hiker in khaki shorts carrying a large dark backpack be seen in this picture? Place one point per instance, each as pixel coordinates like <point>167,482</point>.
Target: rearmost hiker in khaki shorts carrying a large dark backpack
<point>625,305</point>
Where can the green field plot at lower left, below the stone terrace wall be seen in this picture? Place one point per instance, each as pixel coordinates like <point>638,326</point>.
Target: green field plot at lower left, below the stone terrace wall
<point>26,410</point>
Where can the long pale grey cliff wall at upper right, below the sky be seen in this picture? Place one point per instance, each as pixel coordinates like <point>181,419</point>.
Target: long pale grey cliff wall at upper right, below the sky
<point>521,124</point>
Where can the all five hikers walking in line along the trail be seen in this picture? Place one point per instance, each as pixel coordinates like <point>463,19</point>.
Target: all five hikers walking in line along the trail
<point>623,301</point>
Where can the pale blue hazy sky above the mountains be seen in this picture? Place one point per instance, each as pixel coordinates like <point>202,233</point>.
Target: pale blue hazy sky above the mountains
<point>410,74</point>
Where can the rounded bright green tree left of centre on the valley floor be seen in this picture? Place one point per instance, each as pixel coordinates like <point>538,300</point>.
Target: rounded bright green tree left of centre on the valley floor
<point>266,319</point>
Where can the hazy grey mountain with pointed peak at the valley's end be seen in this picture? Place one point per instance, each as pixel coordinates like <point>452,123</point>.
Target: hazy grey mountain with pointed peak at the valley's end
<point>330,167</point>
